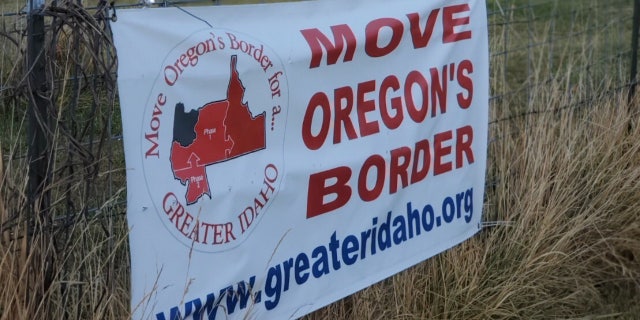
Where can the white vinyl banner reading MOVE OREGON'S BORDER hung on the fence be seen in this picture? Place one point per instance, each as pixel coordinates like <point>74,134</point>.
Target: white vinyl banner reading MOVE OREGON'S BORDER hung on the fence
<point>282,156</point>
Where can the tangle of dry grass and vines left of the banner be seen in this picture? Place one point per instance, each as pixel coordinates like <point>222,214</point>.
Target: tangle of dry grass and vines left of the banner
<point>68,260</point>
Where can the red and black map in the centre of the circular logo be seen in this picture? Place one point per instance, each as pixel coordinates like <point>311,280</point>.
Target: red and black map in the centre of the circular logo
<point>216,132</point>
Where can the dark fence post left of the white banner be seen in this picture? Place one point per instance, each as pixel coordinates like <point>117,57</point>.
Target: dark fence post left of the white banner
<point>39,147</point>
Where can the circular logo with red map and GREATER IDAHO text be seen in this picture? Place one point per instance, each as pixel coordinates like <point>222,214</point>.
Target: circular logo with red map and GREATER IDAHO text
<point>212,138</point>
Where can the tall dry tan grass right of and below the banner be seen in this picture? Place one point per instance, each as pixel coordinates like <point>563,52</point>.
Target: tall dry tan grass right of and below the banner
<point>569,244</point>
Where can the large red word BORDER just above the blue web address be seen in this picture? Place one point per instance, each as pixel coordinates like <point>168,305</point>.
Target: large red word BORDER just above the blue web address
<point>330,189</point>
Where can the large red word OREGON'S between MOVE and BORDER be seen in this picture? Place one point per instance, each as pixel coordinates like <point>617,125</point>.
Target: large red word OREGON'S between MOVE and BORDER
<point>415,96</point>
